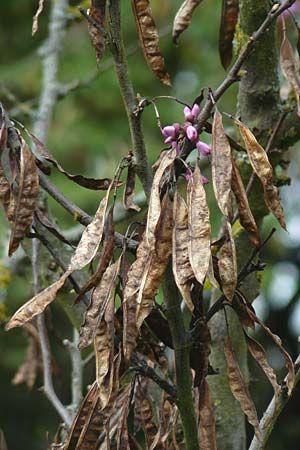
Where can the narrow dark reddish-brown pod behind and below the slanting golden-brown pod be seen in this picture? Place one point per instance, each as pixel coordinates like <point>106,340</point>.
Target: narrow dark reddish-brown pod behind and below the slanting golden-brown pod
<point>245,215</point>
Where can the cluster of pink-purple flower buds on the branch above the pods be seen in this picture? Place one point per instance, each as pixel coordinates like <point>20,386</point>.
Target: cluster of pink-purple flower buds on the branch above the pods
<point>189,130</point>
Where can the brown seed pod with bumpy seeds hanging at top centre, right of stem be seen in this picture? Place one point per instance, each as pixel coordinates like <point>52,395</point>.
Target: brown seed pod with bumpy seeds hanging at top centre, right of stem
<point>149,39</point>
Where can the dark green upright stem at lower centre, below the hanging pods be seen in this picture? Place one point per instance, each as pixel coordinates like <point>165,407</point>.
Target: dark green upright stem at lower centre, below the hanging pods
<point>181,342</point>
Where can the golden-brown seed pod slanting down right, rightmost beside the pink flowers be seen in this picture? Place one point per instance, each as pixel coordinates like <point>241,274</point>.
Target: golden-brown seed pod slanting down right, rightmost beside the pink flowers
<point>263,169</point>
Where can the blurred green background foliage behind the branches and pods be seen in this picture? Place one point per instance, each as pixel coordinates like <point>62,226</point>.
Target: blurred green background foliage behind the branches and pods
<point>89,135</point>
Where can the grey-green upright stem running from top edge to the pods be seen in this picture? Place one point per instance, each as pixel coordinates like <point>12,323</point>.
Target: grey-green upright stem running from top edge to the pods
<point>128,95</point>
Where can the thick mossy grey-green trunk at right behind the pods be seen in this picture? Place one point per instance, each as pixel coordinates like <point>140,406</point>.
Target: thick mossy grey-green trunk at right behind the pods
<point>258,101</point>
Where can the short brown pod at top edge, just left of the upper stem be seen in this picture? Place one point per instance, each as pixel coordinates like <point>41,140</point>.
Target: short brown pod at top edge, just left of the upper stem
<point>97,33</point>
